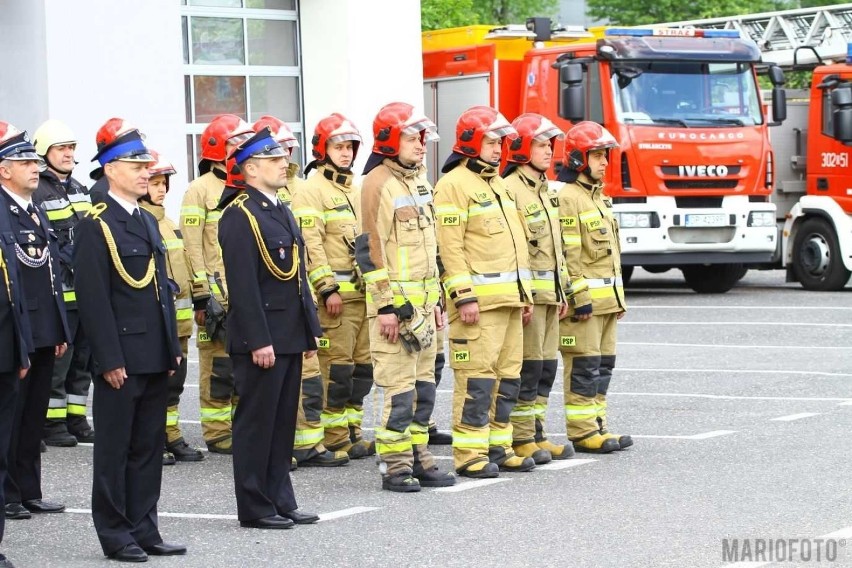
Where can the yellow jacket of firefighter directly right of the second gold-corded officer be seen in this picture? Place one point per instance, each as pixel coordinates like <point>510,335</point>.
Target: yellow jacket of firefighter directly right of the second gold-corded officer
<point>328,207</point>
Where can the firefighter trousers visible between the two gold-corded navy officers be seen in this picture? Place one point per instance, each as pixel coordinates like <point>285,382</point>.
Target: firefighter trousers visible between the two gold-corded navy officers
<point>215,389</point>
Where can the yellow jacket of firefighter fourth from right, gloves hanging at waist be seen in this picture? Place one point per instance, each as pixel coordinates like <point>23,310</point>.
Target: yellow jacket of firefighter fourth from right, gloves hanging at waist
<point>397,250</point>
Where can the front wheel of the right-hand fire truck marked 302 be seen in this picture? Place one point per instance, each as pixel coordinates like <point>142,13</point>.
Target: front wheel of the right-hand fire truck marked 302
<point>817,263</point>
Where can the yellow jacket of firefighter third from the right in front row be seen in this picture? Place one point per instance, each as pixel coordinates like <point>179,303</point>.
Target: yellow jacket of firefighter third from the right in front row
<point>481,239</point>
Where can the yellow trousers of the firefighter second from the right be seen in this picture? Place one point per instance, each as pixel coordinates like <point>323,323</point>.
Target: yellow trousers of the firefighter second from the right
<point>538,371</point>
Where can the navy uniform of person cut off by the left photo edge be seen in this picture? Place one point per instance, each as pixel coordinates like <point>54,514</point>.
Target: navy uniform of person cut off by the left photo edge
<point>15,344</point>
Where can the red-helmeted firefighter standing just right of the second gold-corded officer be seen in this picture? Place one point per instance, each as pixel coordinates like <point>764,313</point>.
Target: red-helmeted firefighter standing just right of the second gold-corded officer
<point>328,207</point>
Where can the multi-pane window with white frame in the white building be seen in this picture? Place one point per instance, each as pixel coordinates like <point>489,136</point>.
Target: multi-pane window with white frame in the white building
<point>240,57</point>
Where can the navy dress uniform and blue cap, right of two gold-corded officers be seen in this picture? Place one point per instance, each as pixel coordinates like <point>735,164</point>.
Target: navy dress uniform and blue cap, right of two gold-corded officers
<point>270,305</point>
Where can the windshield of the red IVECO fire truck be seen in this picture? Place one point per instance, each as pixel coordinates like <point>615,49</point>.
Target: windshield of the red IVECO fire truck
<point>686,94</point>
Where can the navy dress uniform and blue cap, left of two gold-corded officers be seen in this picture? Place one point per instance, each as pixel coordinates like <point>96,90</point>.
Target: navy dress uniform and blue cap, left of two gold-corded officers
<point>127,311</point>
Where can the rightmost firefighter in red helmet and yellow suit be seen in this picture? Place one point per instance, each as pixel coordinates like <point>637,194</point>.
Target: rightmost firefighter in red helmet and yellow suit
<point>593,260</point>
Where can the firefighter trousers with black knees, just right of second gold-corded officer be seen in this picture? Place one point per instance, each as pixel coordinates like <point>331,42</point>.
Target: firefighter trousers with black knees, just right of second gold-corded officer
<point>344,357</point>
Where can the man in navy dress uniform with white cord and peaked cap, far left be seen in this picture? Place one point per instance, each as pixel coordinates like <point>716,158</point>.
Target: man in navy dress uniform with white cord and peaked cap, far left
<point>36,254</point>
